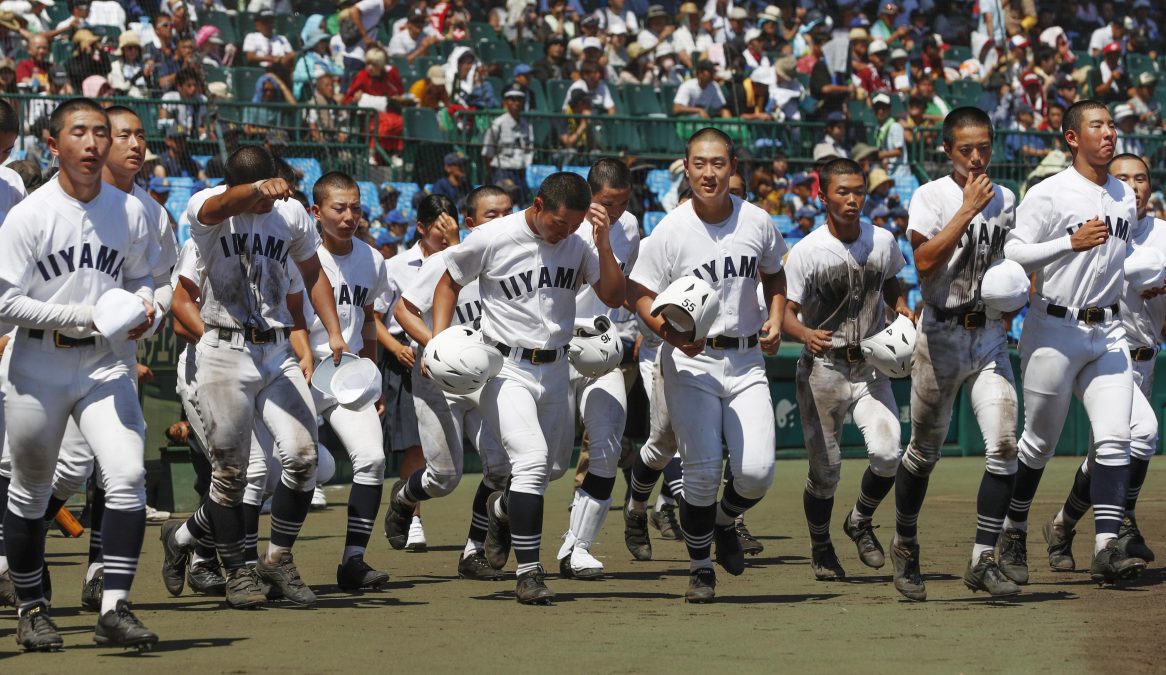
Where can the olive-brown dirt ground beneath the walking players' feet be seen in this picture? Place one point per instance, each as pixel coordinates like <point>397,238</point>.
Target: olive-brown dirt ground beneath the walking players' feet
<point>774,618</point>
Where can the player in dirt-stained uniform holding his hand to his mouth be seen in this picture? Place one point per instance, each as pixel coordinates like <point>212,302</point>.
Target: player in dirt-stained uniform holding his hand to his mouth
<point>958,226</point>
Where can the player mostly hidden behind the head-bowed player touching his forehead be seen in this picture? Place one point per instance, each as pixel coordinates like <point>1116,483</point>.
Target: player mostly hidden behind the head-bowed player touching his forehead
<point>446,420</point>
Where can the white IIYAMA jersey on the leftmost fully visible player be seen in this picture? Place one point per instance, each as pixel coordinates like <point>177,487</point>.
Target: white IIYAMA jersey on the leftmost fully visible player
<point>60,256</point>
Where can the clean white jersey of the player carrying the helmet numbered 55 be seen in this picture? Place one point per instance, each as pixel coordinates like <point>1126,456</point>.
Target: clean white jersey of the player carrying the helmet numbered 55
<point>729,256</point>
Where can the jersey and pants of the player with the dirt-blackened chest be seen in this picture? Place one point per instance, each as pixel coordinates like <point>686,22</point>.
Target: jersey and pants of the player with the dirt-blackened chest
<point>839,286</point>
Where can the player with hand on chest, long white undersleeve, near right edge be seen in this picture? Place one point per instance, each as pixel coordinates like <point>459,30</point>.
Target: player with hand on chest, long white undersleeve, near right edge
<point>1073,231</point>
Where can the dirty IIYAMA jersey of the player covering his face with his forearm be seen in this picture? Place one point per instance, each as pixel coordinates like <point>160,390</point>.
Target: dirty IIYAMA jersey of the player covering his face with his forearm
<point>247,261</point>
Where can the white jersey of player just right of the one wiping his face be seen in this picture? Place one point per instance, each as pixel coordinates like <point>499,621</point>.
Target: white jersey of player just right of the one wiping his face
<point>357,280</point>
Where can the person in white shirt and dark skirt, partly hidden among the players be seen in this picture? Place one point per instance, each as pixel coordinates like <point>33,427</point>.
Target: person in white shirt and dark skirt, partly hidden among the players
<point>401,410</point>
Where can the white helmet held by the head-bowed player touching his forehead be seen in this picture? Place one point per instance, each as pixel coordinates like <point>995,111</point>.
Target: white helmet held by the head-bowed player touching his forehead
<point>460,363</point>
